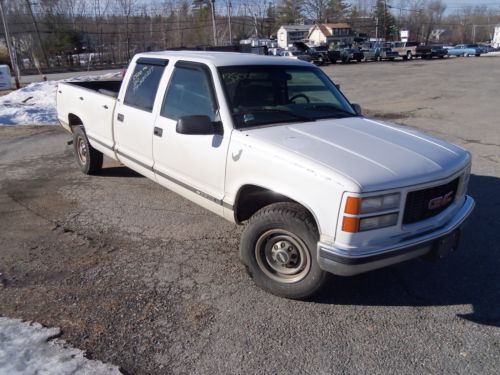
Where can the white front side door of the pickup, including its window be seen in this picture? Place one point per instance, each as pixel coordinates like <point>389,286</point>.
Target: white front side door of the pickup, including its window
<point>192,165</point>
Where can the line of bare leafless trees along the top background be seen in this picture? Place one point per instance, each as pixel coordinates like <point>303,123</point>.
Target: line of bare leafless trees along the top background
<point>52,33</point>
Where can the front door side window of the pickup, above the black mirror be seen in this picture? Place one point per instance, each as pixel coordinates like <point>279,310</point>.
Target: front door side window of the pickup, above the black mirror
<point>189,93</point>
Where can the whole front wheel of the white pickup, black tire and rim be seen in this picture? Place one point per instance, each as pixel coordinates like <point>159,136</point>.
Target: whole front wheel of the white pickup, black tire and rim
<point>277,234</point>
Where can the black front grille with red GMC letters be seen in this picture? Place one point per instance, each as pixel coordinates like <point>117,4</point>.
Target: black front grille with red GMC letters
<point>418,203</point>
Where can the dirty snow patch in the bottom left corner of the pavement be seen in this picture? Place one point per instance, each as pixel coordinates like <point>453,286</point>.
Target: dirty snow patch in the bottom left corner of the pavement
<point>29,348</point>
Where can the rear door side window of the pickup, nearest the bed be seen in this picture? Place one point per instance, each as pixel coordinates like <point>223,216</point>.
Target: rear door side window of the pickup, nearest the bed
<point>142,87</point>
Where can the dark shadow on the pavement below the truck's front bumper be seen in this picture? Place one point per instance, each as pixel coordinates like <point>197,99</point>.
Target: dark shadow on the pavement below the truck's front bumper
<point>471,276</point>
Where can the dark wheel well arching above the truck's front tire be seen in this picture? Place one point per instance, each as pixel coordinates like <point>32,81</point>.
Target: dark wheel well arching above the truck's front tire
<point>251,199</point>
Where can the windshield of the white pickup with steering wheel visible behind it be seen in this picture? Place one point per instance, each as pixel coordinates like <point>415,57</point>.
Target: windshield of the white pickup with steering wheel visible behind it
<point>272,94</point>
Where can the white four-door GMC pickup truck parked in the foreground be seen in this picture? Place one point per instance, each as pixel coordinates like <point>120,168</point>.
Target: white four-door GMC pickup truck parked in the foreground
<point>272,143</point>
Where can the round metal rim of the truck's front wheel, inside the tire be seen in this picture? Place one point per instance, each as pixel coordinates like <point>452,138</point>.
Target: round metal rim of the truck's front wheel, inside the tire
<point>282,256</point>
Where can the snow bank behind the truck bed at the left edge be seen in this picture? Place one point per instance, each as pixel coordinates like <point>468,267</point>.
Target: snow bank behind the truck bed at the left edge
<point>35,104</point>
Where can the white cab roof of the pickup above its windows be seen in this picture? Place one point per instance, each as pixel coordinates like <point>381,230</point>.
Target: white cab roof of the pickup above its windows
<point>224,58</point>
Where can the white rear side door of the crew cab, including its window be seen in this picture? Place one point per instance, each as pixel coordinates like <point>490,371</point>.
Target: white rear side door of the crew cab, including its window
<point>135,115</point>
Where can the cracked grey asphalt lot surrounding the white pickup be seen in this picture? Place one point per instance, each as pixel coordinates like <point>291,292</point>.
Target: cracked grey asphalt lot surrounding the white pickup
<point>146,280</point>
